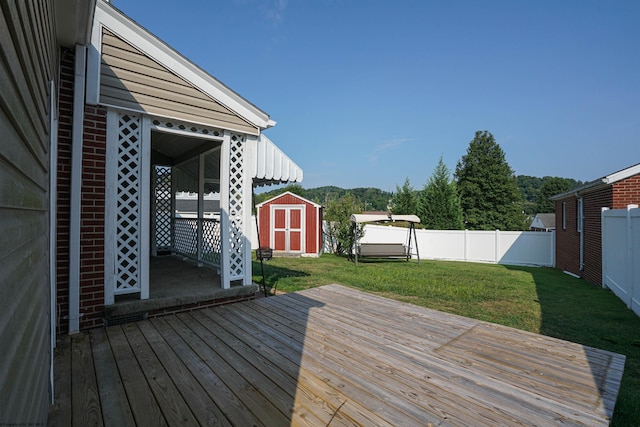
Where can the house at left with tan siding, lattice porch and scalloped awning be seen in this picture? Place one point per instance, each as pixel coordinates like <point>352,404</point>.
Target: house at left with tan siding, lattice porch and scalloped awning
<point>102,123</point>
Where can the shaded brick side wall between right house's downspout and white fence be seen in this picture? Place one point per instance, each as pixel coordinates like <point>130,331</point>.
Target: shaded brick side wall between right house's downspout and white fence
<point>593,204</point>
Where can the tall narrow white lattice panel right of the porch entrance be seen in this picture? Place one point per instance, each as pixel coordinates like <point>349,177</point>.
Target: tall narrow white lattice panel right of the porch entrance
<point>236,207</point>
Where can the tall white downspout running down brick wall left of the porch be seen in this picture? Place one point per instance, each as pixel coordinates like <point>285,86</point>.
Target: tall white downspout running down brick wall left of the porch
<point>76,187</point>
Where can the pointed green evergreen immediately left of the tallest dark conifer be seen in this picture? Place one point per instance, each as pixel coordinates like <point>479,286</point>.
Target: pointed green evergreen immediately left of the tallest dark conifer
<point>439,203</point>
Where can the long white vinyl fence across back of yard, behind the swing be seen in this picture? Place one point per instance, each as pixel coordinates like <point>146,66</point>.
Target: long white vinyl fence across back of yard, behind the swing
<point>502,247</point>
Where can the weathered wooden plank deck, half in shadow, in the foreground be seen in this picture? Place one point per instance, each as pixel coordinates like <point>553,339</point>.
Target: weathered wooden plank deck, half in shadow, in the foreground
<point>328,356</point>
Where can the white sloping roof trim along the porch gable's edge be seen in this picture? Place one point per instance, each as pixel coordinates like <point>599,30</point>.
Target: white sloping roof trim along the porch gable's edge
<point>143,40</point>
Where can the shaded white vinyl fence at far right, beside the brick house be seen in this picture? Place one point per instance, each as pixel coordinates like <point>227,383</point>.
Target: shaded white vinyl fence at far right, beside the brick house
<point>621,254</point>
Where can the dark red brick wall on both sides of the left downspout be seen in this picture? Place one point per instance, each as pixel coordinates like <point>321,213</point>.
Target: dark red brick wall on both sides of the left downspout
<point>92,204</point>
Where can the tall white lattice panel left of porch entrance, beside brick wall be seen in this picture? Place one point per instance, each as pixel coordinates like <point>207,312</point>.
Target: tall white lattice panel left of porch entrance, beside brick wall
<point>128,204</point>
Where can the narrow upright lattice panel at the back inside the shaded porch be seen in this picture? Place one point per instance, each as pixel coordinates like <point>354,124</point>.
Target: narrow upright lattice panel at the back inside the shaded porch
<point>163,194</point>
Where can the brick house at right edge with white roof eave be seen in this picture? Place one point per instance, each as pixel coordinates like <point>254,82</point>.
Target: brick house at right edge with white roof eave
<point>578,220</point>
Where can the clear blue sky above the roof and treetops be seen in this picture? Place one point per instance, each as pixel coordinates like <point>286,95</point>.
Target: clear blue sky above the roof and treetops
<point>368,93</point>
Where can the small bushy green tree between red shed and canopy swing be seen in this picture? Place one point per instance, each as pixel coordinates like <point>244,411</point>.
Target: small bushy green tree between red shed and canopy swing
<point>340,230</point>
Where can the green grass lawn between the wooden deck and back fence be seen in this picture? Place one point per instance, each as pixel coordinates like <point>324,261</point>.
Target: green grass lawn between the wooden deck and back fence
<point>541,300</point>
